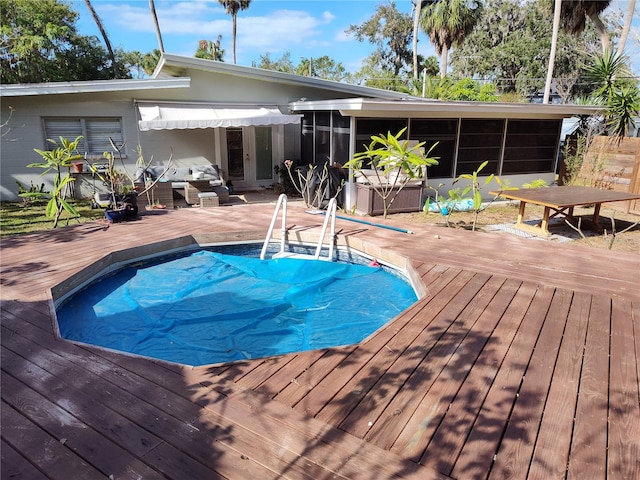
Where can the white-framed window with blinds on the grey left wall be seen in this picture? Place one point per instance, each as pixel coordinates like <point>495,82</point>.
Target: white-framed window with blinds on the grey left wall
<point>95,132</point>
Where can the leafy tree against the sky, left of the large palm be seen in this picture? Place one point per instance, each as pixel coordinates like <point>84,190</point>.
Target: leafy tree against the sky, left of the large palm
<point>391,31</point>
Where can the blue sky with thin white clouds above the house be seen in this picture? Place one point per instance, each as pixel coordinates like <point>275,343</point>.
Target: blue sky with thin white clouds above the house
<point>305,28</point>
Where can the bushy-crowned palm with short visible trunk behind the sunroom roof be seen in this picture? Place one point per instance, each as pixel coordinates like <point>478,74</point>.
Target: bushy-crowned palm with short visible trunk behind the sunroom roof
<point>447,23</point>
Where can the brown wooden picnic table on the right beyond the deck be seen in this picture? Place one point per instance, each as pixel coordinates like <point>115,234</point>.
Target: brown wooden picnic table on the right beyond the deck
<point>562,201</point>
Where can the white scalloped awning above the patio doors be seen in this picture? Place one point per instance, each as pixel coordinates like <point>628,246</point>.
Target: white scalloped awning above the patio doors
<point>185,116</point>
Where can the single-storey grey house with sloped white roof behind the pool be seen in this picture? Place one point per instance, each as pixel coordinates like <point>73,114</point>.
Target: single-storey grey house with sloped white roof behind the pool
<point>248,120</point>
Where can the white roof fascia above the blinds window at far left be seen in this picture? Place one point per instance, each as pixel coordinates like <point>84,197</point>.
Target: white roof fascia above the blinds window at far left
<point>92,86</point>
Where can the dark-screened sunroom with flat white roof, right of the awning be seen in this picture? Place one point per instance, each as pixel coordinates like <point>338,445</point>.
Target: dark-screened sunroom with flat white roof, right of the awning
<point>520,142</point>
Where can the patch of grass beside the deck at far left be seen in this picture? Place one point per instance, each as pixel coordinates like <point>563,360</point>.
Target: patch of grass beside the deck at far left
<point>17,218</point>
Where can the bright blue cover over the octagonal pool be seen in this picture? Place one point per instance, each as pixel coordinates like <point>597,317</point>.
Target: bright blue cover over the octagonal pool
<point>209,307</point>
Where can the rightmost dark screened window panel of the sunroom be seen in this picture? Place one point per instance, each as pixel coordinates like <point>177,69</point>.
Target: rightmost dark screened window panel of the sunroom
<point>530,146</point>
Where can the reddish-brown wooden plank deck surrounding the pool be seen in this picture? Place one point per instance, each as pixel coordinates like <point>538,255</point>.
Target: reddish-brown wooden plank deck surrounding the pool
<point>522,361</point>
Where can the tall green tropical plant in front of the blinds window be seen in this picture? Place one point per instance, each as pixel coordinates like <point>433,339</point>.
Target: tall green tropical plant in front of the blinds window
<point>56,160</point>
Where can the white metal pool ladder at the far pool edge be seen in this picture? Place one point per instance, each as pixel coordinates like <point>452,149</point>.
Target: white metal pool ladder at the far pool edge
<point>330,216</point>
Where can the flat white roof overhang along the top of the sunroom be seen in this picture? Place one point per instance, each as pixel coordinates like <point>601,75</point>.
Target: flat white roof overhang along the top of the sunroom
<point>415,107</point>
